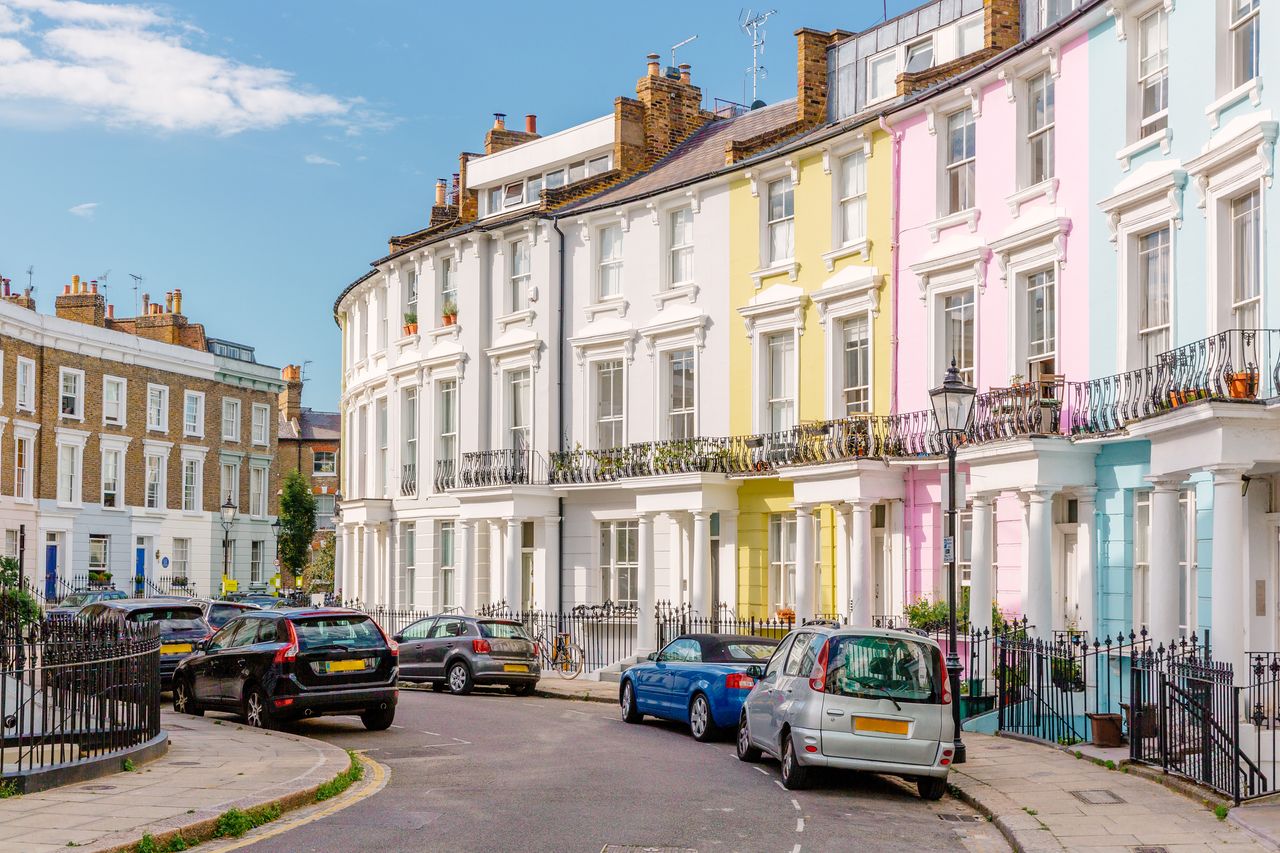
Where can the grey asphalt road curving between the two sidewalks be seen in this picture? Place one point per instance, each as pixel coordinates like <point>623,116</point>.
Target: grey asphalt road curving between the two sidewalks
<point>492,772</point>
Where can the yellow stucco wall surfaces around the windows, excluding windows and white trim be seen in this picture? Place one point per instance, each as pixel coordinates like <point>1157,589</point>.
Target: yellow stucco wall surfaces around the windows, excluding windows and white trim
<point>815,207</point>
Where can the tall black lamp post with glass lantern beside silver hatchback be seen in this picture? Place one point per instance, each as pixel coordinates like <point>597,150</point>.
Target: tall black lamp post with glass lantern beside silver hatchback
<point>953,414</point>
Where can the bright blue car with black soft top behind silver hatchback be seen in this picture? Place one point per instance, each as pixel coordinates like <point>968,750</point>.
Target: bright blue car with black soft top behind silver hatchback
<point>701,679</point>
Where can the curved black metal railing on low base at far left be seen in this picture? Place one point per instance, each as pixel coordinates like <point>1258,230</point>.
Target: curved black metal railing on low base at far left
<point>74,692</point>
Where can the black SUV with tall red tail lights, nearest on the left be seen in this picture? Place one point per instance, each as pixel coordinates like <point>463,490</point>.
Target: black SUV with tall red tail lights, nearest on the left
<point>273,665</point>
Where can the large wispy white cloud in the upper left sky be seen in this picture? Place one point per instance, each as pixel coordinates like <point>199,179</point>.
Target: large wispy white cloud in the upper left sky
<point>129,66</point>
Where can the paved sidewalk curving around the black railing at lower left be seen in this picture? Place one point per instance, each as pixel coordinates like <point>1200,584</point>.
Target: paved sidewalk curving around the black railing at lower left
<point>212,767</point>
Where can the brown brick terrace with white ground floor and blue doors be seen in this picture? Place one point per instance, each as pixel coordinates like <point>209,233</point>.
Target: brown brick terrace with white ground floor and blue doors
<point>122,437</point>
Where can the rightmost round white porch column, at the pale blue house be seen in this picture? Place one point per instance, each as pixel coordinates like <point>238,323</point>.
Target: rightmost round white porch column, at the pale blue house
<point>1227,571</point>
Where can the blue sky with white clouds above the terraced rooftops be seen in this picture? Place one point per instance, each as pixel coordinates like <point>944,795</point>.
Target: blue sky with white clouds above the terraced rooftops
<point>258,153</point>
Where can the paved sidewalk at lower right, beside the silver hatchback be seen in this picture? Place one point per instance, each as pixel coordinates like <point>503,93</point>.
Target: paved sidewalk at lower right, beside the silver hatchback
<point>1048,800</point>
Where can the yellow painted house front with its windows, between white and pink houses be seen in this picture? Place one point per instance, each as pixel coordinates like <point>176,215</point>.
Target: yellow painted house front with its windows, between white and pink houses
<point>810,263</point>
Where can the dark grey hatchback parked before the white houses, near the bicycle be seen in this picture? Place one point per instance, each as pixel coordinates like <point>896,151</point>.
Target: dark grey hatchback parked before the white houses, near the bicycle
<point>458,653</point>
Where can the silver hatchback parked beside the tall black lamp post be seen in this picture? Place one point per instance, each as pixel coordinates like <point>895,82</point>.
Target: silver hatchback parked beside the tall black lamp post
<point>854,699</point>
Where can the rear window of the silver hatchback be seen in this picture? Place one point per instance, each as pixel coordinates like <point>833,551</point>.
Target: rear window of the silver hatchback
<point>877,668</point>
